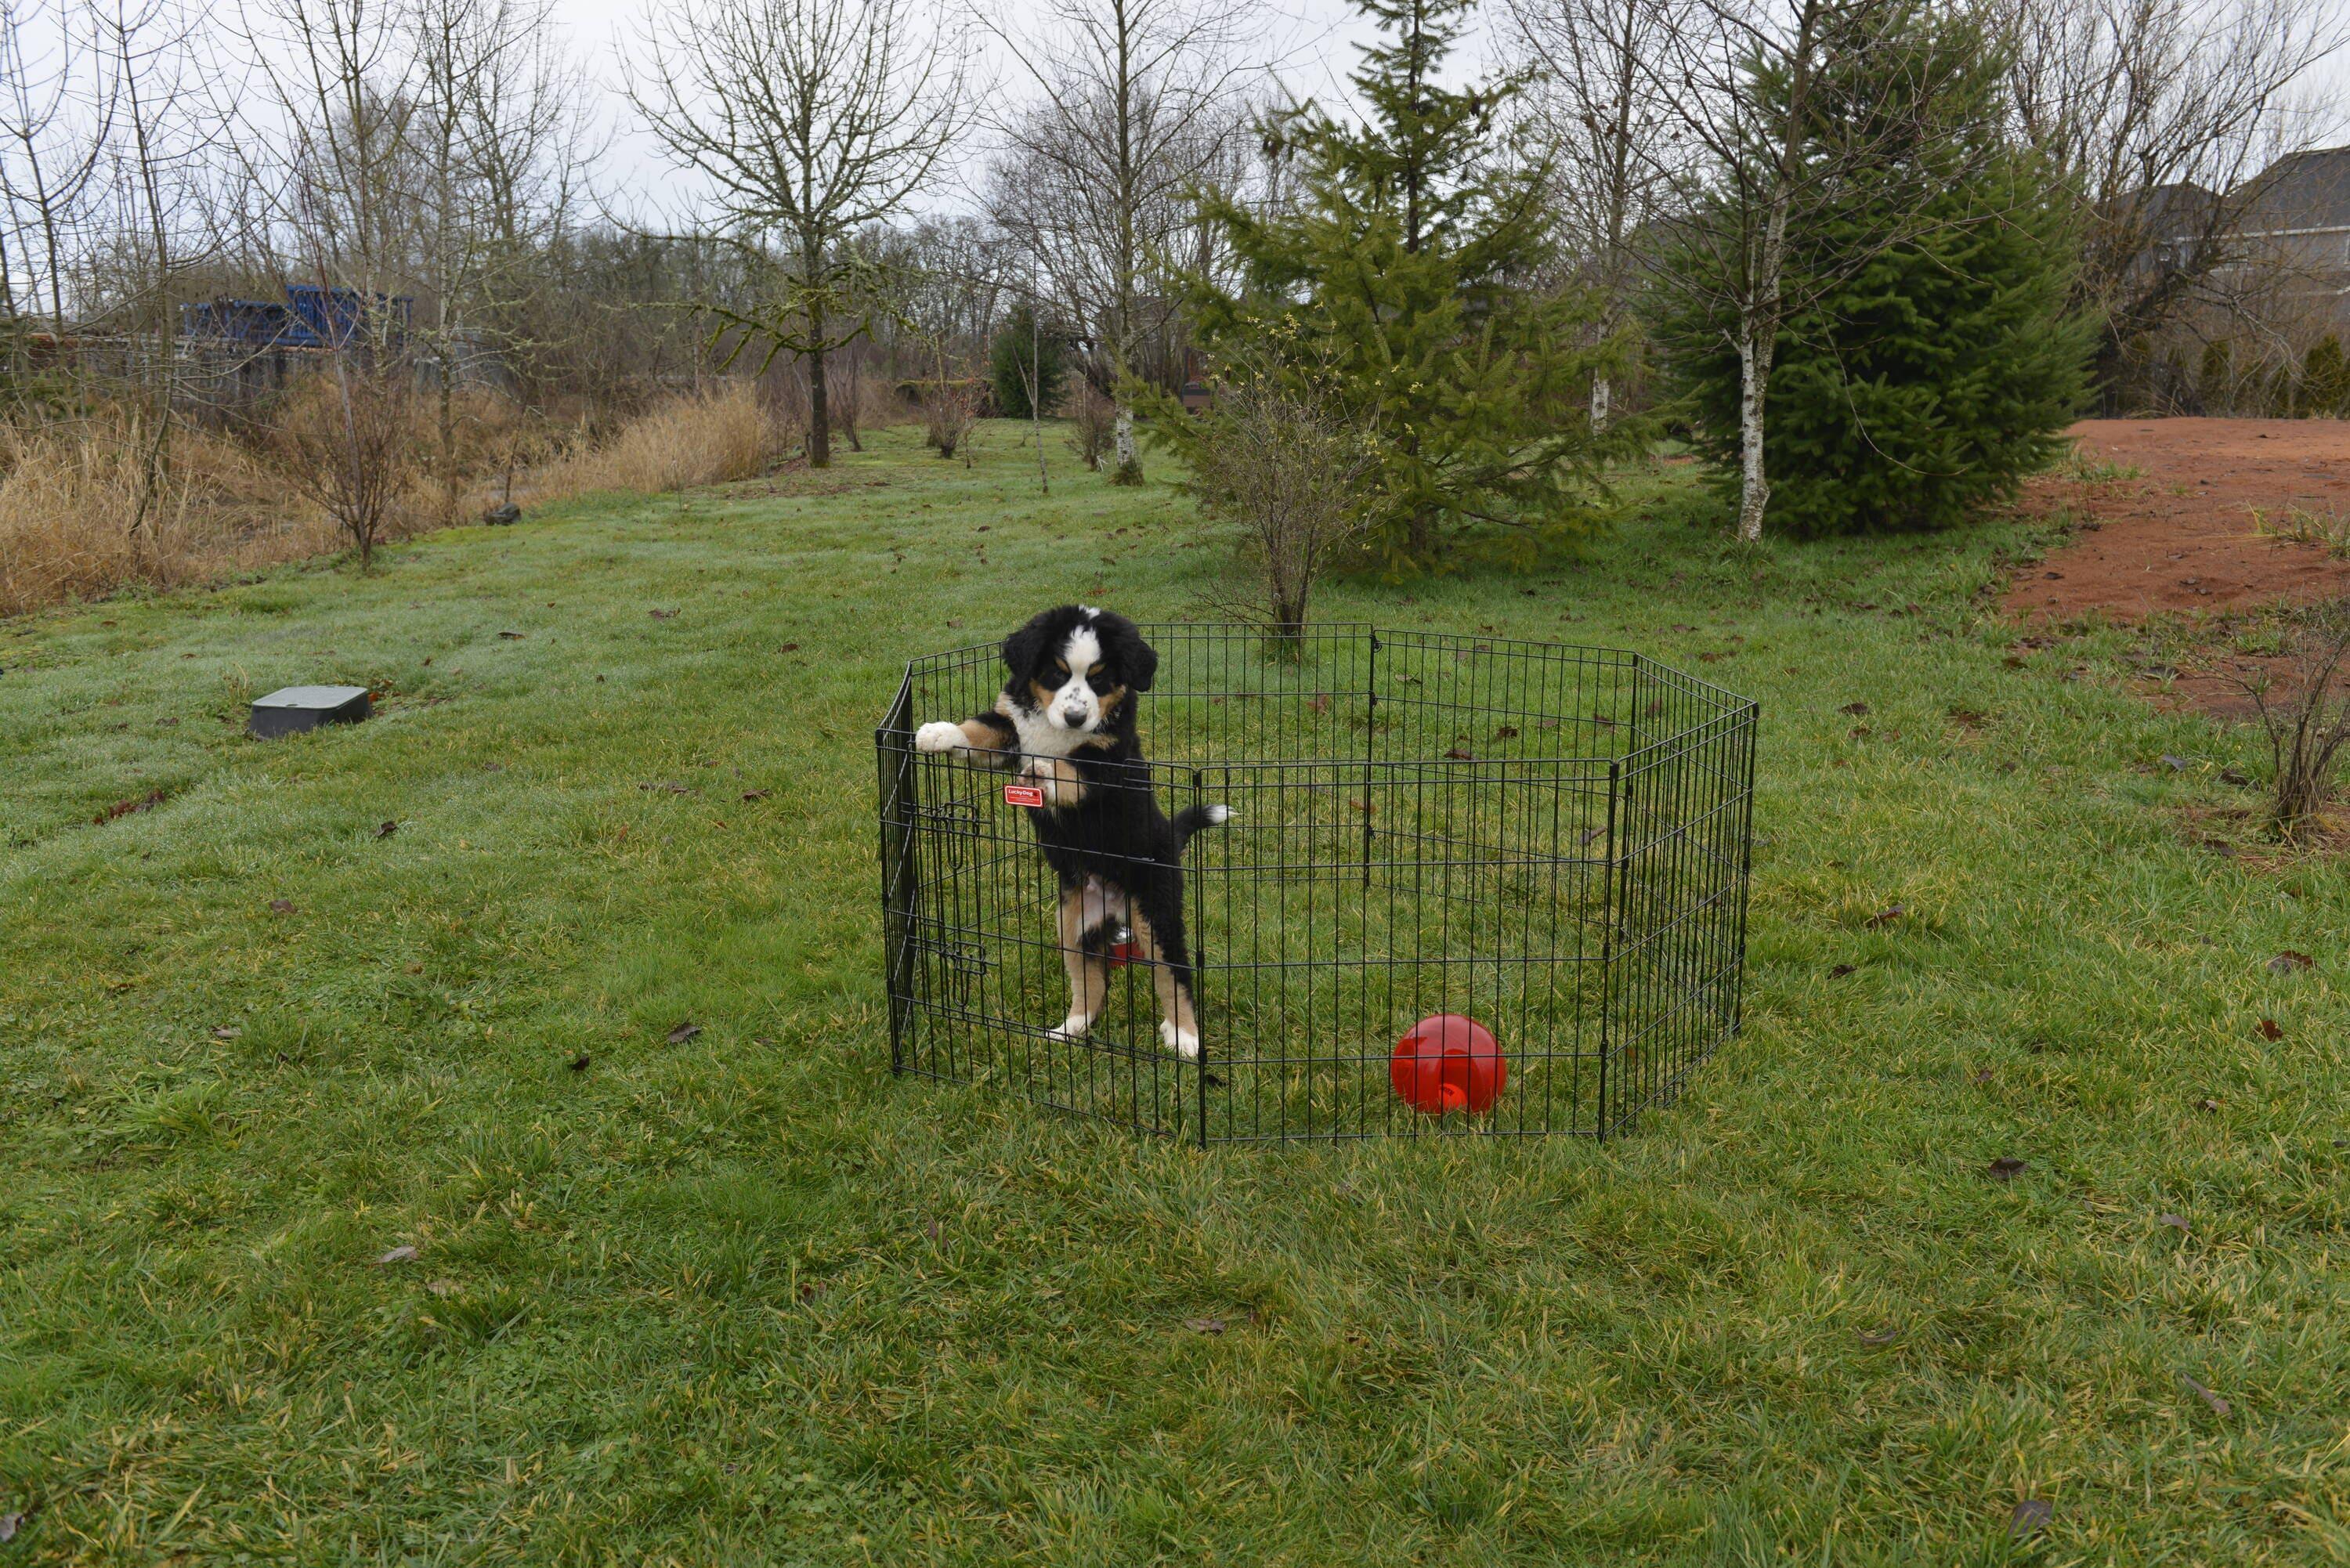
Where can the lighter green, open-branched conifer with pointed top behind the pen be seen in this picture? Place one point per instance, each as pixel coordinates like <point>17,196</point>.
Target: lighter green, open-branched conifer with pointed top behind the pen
<point>1406,276</point>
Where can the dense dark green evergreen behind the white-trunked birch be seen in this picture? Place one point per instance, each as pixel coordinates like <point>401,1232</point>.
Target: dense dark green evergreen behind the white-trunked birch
<point>1931,366</point>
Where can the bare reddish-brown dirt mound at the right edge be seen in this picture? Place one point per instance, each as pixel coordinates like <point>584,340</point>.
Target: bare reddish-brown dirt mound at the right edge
<point>2182,537</point>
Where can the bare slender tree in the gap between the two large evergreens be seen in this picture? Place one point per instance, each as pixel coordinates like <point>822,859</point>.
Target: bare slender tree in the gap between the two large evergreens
<point>1613,135</point>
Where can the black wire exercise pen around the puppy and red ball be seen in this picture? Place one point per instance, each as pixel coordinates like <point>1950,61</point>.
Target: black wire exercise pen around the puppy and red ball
<point>1543,838</point>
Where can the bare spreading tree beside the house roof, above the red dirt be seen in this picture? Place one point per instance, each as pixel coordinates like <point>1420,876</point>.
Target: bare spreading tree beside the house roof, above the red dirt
<point>2158,116</point>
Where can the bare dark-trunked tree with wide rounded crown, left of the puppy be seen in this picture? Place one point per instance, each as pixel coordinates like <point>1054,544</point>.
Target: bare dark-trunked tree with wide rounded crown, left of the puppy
<point>812,119</point>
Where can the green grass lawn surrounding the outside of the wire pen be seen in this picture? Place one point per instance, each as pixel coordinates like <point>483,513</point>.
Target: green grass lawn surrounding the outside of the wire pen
<point>746,1299</point>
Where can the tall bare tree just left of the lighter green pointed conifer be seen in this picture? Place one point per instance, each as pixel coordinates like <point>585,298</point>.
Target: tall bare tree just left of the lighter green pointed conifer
<point>1139,102</point>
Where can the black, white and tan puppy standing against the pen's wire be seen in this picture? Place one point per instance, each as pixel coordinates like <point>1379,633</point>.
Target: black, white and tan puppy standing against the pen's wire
<point>1066,723</point>
